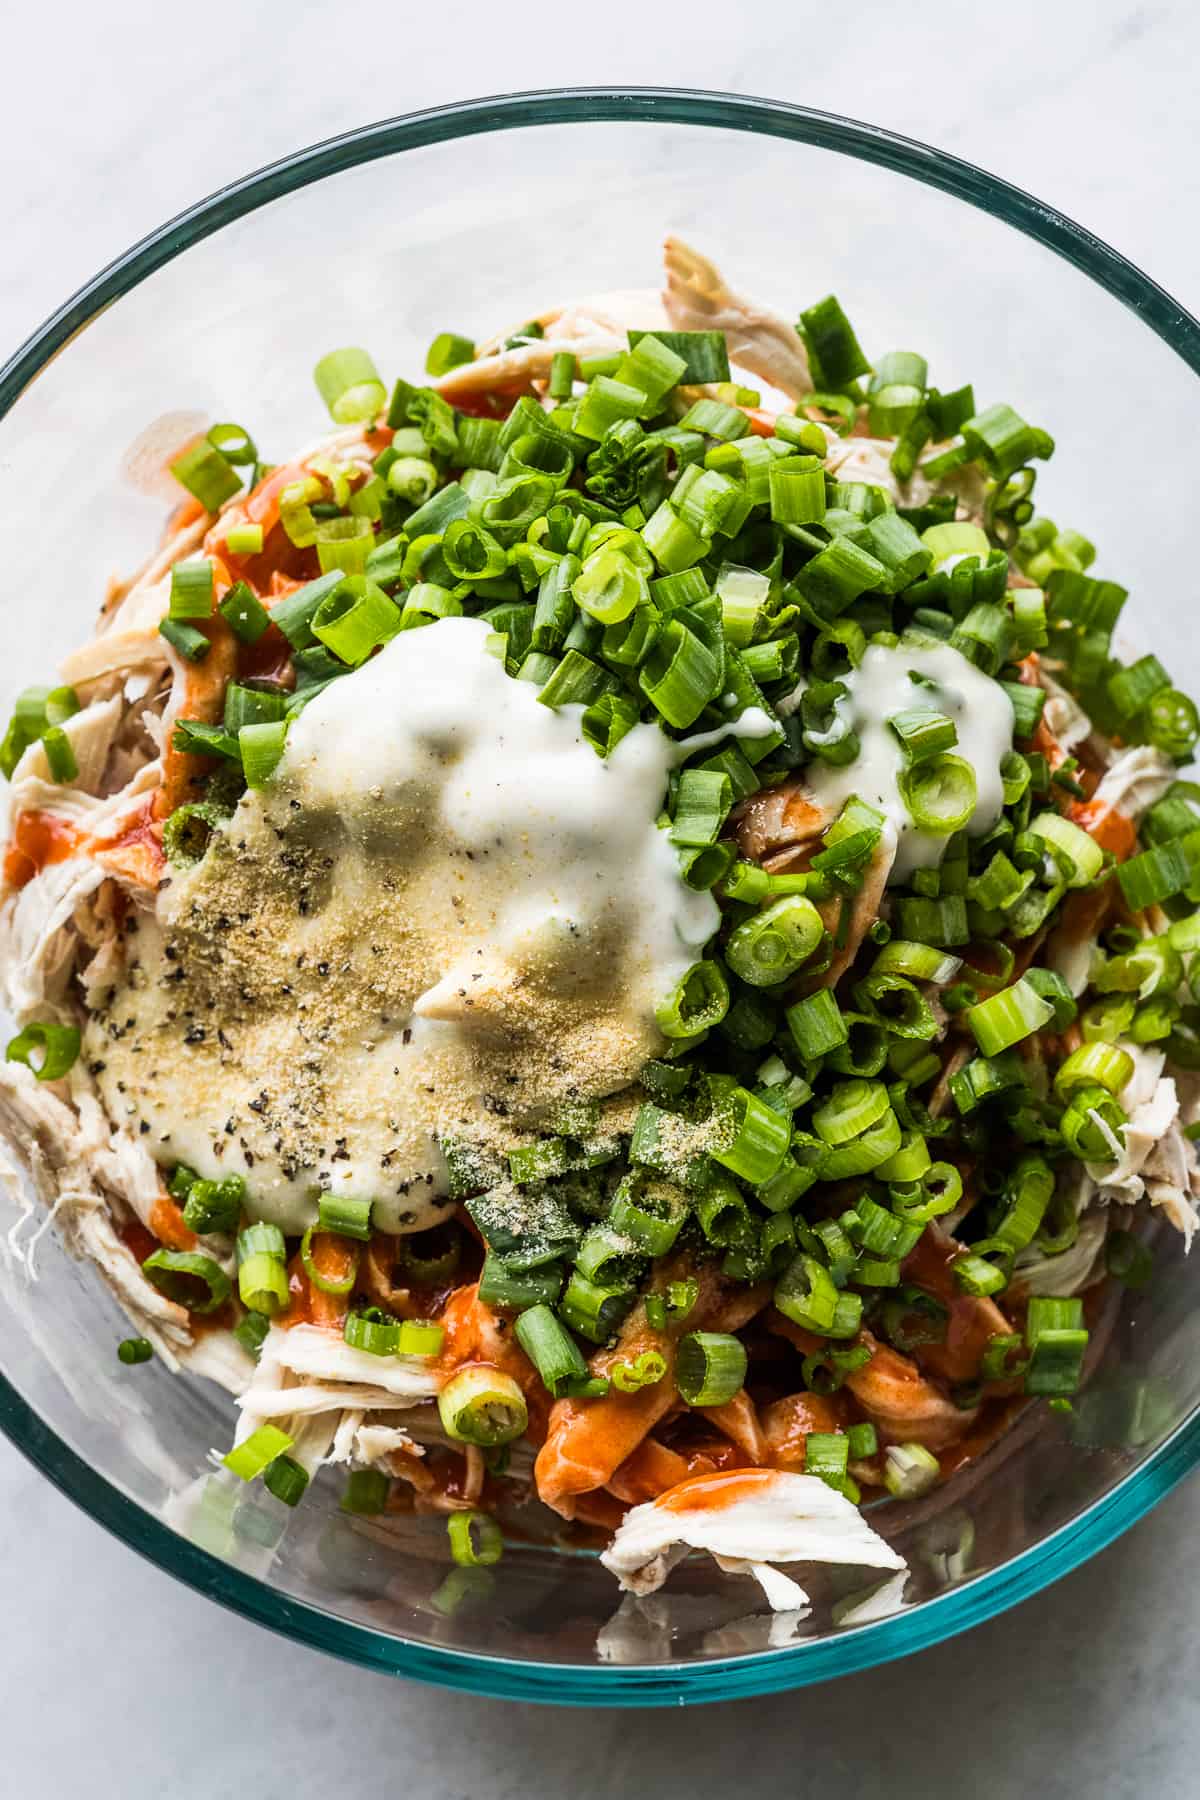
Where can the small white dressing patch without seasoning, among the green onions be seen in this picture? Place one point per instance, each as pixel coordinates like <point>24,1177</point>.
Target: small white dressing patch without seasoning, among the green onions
<point>882,687</point>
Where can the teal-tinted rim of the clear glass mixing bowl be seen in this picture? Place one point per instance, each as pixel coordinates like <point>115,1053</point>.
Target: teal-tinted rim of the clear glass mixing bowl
<point>609,1686</point>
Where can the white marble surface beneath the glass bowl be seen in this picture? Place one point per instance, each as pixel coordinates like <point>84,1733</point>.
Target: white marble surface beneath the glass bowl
<point>127,1686</point>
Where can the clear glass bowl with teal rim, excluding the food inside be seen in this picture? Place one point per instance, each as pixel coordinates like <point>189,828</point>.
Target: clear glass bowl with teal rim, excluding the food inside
<point>472,217</point>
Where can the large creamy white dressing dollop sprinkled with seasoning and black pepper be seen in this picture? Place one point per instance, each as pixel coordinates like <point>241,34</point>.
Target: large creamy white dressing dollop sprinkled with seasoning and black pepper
<point>445,915</point>
